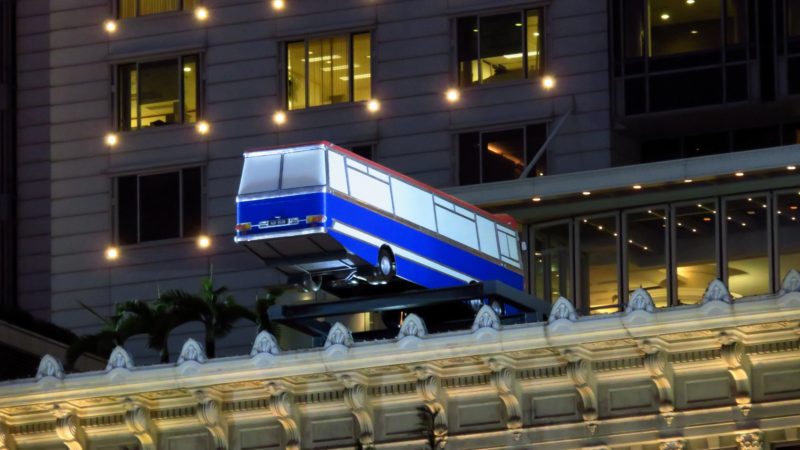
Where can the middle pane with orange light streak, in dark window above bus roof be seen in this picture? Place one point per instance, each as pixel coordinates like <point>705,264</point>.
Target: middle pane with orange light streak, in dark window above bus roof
<point>503,155</point>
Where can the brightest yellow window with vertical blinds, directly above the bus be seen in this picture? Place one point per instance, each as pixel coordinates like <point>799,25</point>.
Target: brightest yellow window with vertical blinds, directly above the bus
<point>329,70</point>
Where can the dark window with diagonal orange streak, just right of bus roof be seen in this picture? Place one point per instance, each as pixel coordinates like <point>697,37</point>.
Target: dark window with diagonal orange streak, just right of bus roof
<point>500,155</point>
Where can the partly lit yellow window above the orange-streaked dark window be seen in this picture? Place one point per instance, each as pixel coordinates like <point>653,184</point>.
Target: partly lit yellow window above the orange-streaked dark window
<point>500,47</point>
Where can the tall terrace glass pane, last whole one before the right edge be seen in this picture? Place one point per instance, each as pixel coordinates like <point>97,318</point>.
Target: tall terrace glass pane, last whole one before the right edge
<point>746,249</point>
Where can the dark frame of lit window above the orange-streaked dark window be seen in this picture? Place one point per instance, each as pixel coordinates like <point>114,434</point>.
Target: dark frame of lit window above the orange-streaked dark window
<point>543,27</point>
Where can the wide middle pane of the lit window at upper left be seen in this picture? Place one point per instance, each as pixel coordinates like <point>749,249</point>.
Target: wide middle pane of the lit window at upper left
<point>160,93</point>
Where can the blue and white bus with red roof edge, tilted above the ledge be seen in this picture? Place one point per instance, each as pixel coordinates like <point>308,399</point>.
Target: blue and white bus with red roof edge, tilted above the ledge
<point>326,216</point>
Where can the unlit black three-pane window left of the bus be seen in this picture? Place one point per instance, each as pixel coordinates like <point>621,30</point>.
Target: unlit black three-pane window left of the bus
<point>159,206</point>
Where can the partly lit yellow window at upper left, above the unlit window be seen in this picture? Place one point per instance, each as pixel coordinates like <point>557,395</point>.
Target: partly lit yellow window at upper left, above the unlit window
<point>158,93</point>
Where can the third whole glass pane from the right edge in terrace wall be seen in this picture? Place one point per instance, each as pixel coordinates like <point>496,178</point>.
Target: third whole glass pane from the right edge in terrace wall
<point>646,247</point>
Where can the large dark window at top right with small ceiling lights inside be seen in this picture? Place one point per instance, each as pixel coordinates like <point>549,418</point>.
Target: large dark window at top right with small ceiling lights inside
<point>679,54</point>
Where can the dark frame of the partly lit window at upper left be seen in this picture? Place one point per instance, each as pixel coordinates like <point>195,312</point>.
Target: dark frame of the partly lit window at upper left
<point>118,90</point>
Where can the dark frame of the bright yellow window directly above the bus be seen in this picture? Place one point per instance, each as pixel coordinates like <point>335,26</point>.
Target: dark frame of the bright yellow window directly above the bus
<point>284,71</point>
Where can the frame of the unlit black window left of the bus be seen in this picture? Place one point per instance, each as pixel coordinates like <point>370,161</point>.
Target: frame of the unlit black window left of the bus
<point>115,205</point>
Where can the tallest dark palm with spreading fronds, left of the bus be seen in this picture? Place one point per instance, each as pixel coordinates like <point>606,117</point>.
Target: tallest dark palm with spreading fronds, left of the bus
<point>216,311</point>
